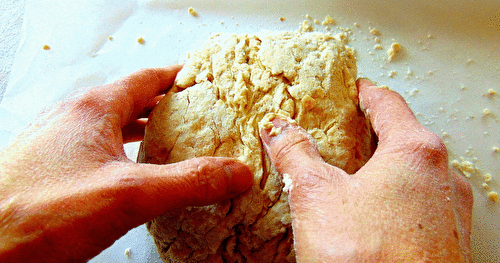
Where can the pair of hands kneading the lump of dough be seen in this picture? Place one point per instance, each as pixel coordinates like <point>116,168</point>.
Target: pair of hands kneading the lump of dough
<point>67,190</point>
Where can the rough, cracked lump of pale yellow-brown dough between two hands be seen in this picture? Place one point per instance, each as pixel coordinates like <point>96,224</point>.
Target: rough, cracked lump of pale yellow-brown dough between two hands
<point>214,109</point>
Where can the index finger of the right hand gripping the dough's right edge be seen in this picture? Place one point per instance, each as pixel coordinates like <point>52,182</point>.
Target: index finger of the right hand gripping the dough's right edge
<point>390,116</point>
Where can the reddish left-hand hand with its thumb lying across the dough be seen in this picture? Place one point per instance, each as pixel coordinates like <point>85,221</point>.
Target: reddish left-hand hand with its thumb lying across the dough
<point>67,189</point>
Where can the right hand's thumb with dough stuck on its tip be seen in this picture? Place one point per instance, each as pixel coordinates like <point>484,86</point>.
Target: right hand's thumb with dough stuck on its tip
<point>292,150</point>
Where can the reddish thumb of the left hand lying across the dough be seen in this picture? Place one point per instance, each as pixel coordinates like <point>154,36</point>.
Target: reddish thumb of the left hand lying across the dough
<point>150,190</point>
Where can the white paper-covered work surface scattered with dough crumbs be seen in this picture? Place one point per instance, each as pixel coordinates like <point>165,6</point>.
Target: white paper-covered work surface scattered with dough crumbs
<point>450,60</point>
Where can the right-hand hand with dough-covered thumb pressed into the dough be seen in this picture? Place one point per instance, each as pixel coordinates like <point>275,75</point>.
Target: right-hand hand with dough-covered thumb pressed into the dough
<point>404,204</point>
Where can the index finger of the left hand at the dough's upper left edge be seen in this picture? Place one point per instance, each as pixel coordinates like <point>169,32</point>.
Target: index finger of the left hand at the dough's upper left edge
<point>133,93</point>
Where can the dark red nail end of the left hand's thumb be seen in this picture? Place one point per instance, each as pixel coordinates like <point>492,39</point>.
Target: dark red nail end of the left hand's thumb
<point>241,177</point>
